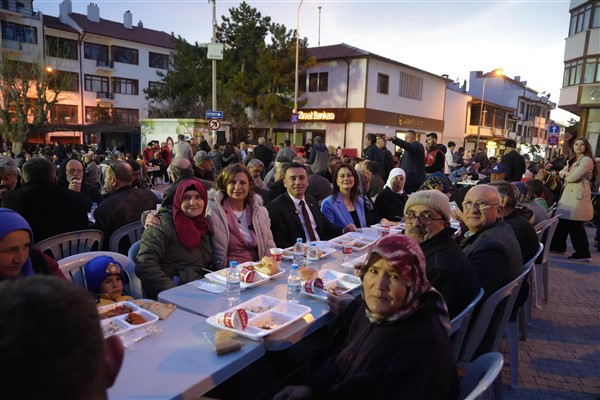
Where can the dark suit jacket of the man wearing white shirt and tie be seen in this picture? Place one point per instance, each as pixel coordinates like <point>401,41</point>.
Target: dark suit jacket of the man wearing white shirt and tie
<point>286,225</point>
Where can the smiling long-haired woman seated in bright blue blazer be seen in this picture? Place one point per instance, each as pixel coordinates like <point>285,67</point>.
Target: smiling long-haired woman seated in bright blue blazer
<point>345,206</point>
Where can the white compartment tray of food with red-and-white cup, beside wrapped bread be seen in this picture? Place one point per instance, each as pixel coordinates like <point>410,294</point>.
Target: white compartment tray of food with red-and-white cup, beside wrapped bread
<point>258,317</point>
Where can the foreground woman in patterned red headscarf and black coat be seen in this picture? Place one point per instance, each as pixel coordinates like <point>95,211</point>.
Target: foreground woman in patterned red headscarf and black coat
<point>398,344</point>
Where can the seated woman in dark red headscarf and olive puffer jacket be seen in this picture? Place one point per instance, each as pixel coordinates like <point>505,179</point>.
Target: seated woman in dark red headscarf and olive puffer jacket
<point>178,249</point>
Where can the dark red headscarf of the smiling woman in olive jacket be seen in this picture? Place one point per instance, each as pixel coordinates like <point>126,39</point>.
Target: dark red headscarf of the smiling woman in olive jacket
<point>190,230</point>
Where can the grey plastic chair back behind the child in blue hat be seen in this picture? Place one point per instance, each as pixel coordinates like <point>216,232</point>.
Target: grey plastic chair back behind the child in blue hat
<point>72,268</point>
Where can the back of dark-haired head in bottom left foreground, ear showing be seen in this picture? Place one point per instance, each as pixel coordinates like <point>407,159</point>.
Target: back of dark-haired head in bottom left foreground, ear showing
<point>51,342</point>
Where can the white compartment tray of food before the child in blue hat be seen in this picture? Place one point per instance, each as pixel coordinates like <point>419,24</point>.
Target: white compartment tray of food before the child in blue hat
<point>123,316</point>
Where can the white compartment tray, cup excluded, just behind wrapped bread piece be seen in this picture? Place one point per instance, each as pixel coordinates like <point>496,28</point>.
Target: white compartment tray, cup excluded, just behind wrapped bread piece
<point>264,310</point>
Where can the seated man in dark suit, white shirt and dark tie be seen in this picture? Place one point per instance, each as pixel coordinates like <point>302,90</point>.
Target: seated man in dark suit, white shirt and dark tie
<point>295,214</point>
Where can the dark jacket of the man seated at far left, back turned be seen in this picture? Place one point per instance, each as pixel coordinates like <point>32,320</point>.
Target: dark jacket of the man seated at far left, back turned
<point>49,208</point>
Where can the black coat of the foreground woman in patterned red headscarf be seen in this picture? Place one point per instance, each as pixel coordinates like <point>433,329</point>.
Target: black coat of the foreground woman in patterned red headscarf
<point>409,358</point>
